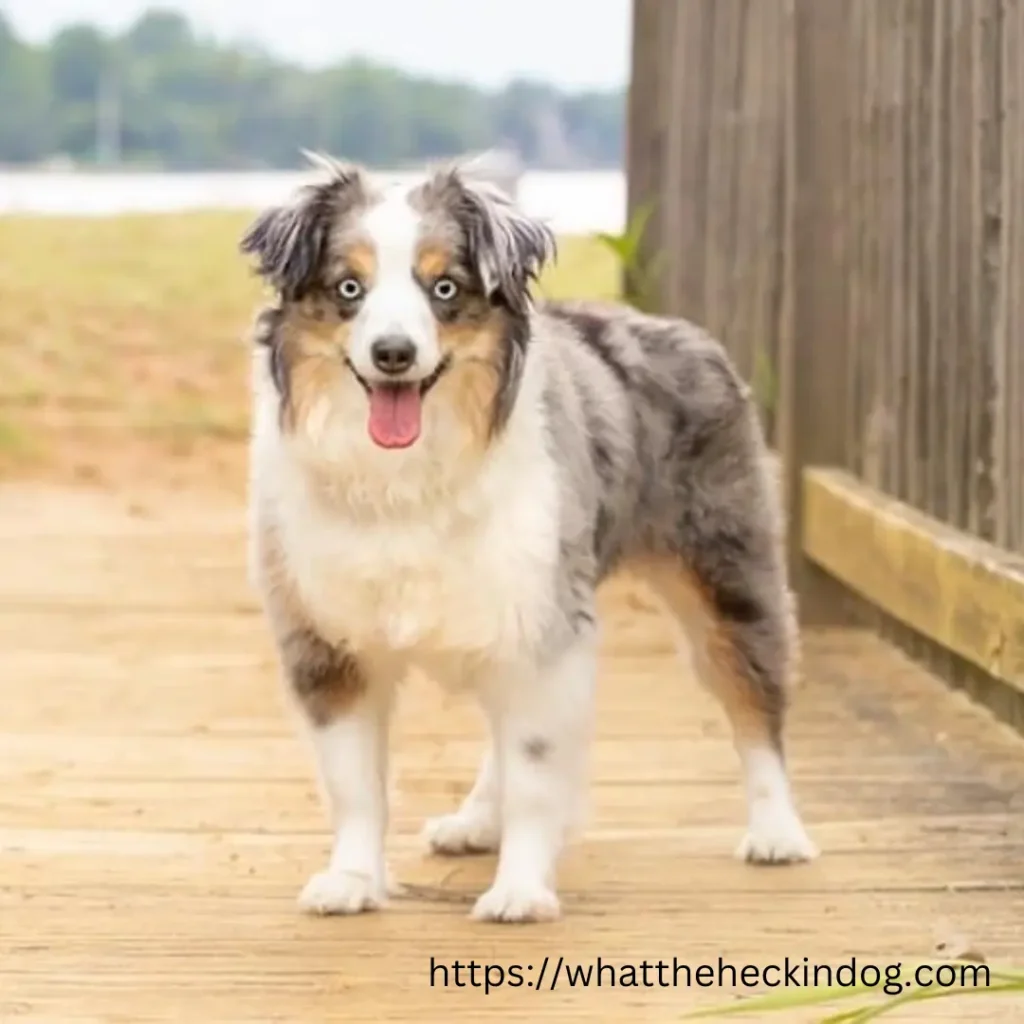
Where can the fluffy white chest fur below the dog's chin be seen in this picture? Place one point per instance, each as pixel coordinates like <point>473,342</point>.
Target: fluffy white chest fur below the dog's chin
<point>443,586</point>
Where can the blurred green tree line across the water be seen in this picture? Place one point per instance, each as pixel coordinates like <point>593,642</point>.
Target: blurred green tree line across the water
<point>159,96</point>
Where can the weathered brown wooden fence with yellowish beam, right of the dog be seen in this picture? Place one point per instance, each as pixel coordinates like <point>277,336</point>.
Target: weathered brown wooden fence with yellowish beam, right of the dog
<point>836,189</point>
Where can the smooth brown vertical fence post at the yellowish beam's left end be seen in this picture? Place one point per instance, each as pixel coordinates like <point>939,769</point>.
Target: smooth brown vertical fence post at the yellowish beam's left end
<point>813,360</point>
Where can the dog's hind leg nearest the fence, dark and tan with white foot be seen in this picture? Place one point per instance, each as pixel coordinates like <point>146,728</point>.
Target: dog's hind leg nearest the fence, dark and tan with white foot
<point>738,621</point>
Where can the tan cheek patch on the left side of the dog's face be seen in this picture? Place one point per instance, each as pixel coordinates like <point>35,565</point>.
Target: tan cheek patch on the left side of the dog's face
<point>312,344</point>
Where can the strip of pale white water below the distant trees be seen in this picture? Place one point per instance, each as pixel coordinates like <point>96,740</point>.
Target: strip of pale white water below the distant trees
<point>574,203</point>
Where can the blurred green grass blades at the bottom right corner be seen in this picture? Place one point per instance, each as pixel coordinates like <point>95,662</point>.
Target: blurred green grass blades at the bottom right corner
<point>1001,982</point>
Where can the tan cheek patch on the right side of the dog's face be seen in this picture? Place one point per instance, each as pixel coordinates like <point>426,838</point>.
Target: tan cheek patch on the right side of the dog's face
<point>473,383</point>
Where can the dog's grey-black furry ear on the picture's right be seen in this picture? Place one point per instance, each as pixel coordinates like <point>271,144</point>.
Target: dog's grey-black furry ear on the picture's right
<point>507,249</point>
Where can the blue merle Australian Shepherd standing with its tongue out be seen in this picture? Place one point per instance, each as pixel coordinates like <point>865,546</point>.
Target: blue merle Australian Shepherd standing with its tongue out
<point>445,470</point>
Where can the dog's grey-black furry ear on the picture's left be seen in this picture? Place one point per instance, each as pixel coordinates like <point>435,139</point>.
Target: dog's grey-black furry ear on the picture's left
<point>290,242</point>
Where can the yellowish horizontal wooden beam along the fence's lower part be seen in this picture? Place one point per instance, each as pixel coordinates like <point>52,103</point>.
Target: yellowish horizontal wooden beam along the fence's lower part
<point>957,590</point>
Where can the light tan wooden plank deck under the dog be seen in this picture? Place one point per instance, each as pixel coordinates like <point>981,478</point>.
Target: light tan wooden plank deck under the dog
<point>158,815</point>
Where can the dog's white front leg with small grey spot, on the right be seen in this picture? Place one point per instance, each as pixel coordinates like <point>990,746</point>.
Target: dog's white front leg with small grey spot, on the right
<point>542,727</point>
